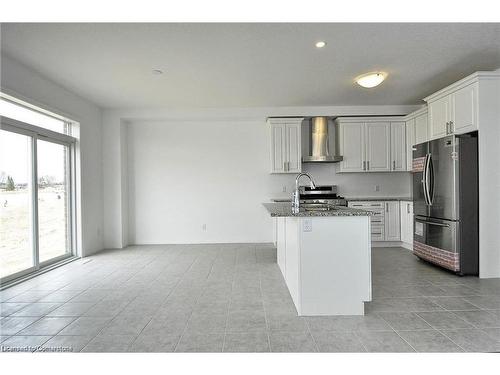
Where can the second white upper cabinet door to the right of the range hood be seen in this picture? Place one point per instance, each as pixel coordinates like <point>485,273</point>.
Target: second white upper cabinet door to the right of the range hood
<point>378,144</point>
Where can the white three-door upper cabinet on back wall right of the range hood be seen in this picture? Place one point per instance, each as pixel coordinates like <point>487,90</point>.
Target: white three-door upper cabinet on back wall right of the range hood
<point>373,145</point>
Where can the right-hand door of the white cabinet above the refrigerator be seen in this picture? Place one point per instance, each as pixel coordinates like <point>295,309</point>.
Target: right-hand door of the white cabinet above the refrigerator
<point>464,109</point>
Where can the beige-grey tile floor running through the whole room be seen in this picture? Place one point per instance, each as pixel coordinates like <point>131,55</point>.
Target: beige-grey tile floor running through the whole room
<point>232,298</point>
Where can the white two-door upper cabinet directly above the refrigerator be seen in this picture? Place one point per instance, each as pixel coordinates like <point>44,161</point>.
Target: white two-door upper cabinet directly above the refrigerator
<point>454,110</point>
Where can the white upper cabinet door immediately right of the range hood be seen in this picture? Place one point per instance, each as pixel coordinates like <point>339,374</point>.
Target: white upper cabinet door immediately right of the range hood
<point>352,146</point>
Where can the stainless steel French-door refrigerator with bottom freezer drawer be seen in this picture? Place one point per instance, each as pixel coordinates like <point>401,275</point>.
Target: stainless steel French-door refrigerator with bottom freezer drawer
<point>445,203</point>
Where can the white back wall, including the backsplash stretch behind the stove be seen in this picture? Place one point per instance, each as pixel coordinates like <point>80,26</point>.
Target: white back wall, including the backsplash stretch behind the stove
<point>183,174</point>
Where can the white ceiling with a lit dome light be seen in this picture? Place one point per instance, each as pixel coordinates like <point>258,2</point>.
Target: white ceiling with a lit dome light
<point>251,65</point>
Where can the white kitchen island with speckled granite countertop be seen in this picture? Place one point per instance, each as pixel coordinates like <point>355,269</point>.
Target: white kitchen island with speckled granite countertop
<point>325,258</point>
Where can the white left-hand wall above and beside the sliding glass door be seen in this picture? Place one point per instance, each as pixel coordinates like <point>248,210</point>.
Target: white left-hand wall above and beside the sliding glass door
<point>22,82</point>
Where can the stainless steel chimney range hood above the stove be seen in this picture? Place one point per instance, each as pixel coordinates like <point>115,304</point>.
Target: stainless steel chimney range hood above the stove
<point>320,145</point>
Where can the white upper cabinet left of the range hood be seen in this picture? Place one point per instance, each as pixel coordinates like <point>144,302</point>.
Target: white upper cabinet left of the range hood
<point>286,152</point>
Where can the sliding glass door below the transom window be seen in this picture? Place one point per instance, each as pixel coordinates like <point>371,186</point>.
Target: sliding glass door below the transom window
<point>36,226</point>
